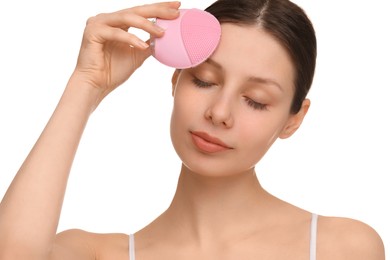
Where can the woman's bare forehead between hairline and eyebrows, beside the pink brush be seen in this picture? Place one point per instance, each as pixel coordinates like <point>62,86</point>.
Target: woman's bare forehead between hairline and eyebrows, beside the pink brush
<point>249,51</point>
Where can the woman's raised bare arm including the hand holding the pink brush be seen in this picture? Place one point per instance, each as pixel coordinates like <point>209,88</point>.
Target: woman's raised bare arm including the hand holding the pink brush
<point>30,209</point>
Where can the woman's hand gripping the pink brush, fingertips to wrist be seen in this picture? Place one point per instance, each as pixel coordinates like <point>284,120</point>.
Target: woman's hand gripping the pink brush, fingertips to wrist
<point>109,54</point>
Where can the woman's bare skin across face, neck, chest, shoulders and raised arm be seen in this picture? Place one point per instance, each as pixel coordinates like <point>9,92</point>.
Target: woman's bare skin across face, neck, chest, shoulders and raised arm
<point>220,210</point>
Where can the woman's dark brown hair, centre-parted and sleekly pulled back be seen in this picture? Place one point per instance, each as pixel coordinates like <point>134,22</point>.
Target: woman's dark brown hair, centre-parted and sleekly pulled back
<point>288,23</point>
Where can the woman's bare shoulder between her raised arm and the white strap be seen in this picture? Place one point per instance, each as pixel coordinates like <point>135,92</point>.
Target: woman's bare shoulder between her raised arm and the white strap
<point>78,244</point>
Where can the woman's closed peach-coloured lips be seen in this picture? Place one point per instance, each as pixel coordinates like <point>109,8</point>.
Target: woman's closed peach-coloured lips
<point>207,143</point>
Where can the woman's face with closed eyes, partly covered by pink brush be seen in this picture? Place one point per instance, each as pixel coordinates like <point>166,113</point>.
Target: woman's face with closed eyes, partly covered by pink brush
<point>230,109</point>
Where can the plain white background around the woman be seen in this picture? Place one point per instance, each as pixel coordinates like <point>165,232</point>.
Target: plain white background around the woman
<point>126,170</point>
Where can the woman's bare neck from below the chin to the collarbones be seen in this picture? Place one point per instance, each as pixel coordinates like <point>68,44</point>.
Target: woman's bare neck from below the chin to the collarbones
<point>216,207</point>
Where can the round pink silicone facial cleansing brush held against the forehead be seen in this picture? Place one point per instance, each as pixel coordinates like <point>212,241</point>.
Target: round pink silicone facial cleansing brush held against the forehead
<point>188,40</point>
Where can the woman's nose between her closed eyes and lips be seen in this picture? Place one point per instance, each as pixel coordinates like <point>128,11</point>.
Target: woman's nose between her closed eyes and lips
<point>219,113</point>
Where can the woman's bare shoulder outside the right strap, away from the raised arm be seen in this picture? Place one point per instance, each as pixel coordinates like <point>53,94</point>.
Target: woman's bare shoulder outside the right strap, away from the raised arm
<point>344,238</point>
